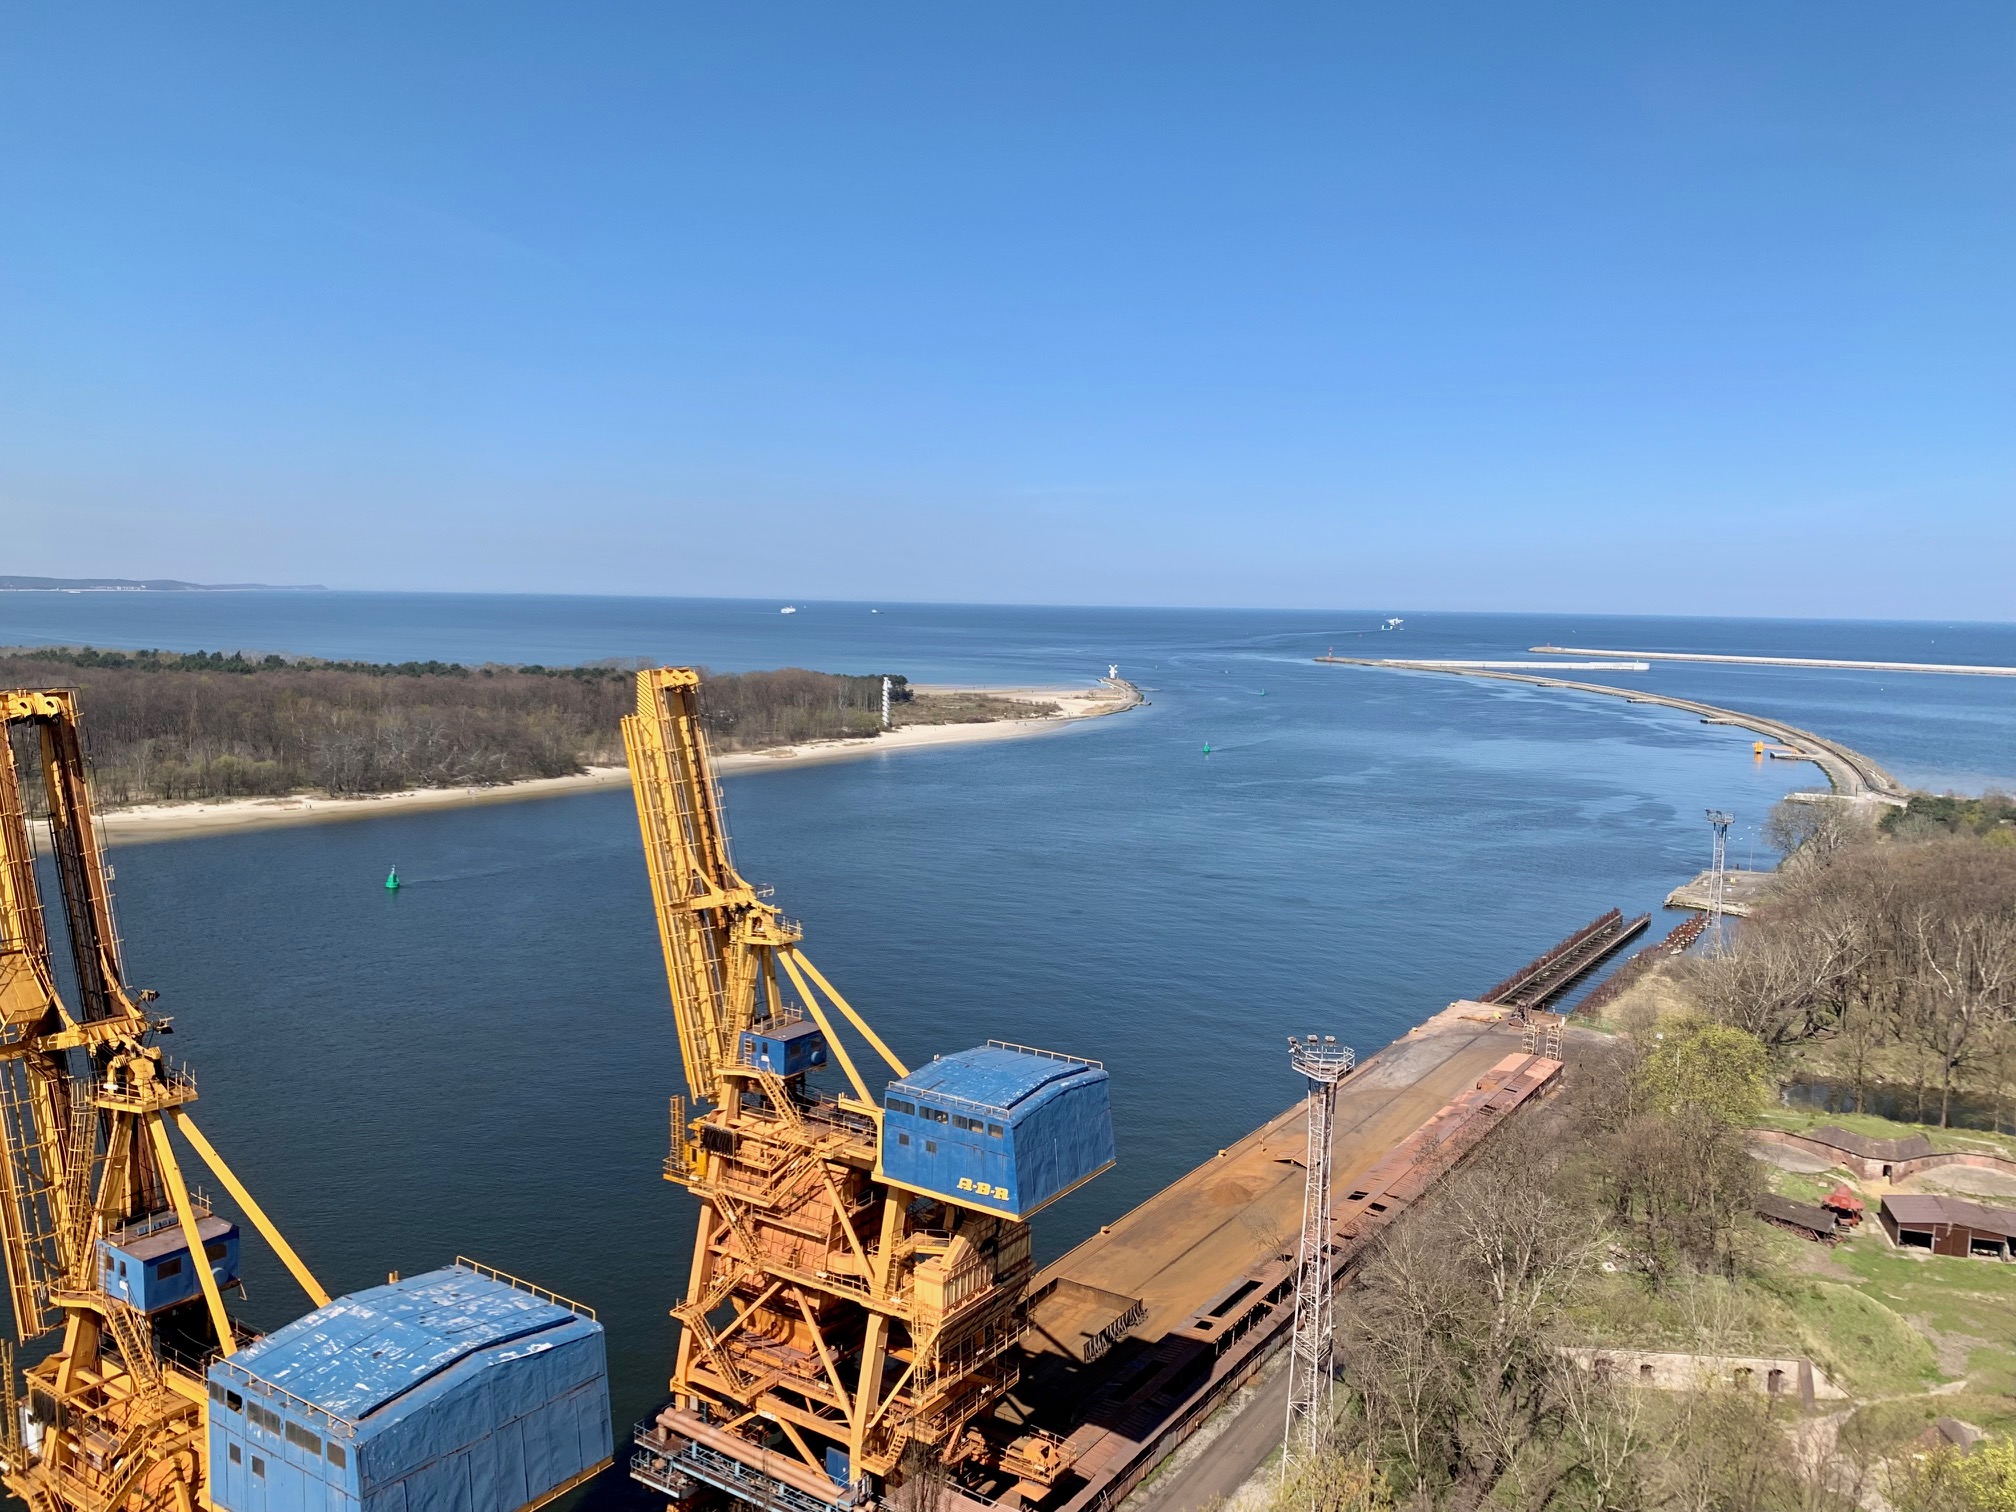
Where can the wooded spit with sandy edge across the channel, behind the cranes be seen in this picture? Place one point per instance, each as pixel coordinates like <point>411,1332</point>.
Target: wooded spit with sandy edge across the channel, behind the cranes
<point>205,743</point>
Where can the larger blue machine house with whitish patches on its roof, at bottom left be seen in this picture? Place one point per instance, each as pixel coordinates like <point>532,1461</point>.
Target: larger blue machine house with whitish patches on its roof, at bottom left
<point>438,1394</point>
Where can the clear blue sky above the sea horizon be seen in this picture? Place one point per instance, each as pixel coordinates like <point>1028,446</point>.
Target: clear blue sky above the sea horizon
<point>1672,307</point>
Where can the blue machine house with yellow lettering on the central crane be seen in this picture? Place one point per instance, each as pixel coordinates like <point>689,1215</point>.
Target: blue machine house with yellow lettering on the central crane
<point>1003,1128</point>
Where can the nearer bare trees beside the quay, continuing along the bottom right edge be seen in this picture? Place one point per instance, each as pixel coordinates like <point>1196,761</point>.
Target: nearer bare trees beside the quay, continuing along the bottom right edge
<point>1471,1342</point>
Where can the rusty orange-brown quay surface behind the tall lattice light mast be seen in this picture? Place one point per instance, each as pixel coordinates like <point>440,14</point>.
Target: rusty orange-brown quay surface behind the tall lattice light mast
<point>1142,1332</point>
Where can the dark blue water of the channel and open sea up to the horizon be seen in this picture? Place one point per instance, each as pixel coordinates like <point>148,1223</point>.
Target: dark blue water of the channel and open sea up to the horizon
<point>481,1063</point>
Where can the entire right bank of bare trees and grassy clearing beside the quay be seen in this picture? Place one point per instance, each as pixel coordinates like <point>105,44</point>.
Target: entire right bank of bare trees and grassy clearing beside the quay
<point>1644,1231</point>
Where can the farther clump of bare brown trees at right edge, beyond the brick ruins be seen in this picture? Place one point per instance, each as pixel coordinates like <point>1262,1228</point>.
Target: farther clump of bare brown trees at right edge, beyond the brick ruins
<point>1886,953</point>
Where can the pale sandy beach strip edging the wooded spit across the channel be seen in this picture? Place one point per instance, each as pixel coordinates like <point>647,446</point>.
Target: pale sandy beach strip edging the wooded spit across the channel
<point>166,822</point>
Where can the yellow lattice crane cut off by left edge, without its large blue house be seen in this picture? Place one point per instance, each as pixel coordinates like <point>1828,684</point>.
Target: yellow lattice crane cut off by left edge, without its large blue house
<point>106,1245</point>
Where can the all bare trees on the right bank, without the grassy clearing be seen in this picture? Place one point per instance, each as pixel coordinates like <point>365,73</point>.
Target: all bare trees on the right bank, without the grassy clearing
<point>1622,1213</point>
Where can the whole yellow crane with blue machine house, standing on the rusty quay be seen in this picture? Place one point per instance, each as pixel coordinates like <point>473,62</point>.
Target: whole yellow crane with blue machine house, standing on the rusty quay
<point>862,1263</point>
